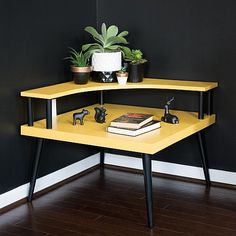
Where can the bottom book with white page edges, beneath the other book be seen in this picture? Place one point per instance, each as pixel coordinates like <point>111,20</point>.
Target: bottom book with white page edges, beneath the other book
<point>152,125</point>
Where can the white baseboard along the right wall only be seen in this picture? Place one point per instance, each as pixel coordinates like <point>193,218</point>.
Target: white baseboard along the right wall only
<point>219,176</point>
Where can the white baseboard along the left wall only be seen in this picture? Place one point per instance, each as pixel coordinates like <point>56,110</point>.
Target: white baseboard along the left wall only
<point>48,180</point>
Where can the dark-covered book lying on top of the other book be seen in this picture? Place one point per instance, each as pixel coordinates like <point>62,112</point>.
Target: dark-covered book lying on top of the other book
<point>132,120</point>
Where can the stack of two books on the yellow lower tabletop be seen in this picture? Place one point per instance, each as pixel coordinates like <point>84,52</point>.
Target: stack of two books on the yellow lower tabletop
<point>133,124</point>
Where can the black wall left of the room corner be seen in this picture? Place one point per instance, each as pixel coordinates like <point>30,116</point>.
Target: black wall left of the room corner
<point>34,39</point>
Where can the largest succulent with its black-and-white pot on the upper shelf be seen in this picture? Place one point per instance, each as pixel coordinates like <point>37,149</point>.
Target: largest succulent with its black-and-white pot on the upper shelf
<point>105,52</point>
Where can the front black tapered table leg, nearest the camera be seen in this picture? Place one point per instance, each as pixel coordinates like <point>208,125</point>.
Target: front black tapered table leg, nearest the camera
<point>147,171</point>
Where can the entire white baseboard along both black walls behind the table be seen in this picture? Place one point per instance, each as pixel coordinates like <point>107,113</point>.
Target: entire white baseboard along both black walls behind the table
<point>116,160</point>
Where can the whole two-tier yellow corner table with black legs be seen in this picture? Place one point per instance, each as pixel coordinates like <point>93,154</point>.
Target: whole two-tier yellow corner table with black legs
<point>91,133</point>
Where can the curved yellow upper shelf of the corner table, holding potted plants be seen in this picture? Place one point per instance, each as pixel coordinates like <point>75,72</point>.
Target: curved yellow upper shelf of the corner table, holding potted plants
<point>69,88</point>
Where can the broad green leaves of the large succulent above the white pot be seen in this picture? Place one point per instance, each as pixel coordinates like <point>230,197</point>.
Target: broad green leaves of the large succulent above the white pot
<point>107,41</point>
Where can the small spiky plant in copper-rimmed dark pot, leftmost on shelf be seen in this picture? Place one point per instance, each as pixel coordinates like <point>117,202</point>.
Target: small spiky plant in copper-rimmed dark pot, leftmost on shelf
<point>80,67</point>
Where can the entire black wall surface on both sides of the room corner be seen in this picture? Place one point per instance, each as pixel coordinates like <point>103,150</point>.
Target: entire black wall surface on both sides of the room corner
<point>192,40</point>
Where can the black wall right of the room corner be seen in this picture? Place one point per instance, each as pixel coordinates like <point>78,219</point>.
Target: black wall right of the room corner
<point>191,40</point>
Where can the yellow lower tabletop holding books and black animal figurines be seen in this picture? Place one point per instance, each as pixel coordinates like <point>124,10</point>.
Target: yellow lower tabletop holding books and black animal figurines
<point>95,134</point>
